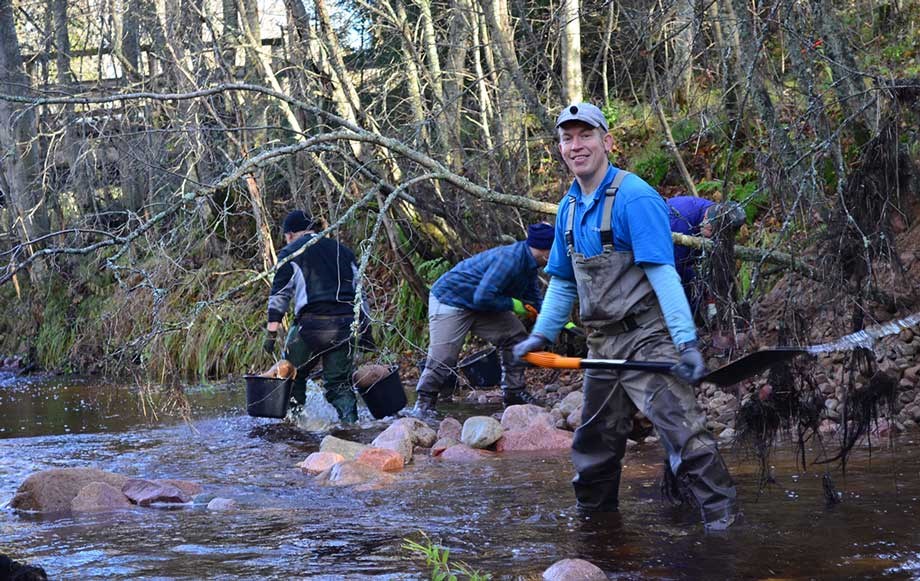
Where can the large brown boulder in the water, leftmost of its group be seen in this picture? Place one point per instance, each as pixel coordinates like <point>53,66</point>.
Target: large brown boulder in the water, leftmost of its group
<point>53,490</point>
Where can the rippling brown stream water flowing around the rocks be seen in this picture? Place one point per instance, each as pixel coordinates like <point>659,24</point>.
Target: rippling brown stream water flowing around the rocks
<point>511,516</point>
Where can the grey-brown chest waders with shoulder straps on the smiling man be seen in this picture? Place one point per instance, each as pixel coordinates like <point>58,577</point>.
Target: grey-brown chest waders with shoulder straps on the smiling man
<point>619,308</point>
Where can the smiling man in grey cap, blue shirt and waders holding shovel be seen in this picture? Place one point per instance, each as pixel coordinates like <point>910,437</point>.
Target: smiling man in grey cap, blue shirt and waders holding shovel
<point>613,252</point>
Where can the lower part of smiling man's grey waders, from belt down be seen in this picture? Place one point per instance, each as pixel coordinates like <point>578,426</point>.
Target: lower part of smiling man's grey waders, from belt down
<point>599,444</point>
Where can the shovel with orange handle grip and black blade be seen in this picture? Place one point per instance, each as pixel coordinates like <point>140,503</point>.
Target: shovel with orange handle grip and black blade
<point>730,374</point>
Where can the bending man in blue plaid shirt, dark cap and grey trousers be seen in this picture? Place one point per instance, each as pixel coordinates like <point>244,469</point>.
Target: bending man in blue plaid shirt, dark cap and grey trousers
<point>481,295</point>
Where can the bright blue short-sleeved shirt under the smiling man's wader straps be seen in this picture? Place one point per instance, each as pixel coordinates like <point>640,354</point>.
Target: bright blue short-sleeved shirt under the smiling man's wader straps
<point>639,223</point>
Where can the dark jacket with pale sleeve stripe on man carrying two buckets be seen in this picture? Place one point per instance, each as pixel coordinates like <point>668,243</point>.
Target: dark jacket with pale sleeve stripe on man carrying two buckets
<point>320,281</point>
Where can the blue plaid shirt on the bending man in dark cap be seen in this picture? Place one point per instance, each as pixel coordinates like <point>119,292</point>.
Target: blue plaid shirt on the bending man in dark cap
<point>489,280</point>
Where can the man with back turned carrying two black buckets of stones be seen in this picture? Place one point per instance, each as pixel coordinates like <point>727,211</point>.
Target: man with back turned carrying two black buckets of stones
<point>320,281</point>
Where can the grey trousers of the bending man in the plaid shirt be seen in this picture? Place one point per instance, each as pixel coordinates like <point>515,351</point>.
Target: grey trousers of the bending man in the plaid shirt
<point>448,327</point>
